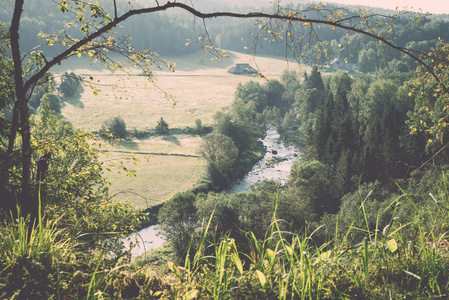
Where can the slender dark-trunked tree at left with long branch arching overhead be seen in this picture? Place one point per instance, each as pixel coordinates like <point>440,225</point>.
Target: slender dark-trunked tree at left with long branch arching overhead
<point>96,27</point>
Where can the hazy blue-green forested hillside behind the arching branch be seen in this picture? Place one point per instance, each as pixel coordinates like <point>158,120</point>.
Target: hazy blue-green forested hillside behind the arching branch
<point>168,35</point>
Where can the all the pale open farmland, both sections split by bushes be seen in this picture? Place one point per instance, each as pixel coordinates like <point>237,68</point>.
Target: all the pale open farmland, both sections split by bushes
<point>200,88</point>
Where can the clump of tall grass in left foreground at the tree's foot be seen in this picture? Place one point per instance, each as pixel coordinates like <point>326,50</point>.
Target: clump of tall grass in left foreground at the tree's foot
<point>40,260</point>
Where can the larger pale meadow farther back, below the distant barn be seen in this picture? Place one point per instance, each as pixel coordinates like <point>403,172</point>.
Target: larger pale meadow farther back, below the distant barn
<point>200,89</point>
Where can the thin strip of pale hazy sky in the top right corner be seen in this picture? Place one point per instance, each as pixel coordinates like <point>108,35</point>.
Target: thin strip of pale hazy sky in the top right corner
<point>432,6</point>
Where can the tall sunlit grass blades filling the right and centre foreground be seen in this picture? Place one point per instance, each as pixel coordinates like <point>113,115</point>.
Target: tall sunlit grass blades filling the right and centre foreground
<point>400,261</point>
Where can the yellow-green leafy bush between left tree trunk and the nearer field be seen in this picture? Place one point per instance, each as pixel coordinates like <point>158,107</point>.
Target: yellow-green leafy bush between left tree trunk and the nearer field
<point>71,182</point>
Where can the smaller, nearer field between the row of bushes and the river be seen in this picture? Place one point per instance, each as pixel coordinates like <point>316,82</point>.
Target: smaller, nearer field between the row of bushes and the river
<point>174,166</point>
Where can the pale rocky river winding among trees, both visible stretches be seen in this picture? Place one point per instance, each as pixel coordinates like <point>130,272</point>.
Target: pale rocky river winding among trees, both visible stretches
<point>276,164</point>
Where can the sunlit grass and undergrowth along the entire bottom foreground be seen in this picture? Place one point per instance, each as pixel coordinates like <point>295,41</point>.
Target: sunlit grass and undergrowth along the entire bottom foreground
<point>407,259</point>
